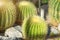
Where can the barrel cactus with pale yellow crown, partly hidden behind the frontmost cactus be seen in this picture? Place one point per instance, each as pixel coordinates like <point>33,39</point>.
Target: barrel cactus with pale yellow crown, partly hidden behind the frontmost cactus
<point>25,9</point>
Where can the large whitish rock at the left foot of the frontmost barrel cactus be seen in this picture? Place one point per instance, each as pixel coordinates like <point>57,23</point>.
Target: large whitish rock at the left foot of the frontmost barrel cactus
<point>14,32</point>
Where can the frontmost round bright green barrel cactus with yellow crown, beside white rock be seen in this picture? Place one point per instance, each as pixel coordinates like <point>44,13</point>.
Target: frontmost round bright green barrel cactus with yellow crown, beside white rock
<point>34,28</point>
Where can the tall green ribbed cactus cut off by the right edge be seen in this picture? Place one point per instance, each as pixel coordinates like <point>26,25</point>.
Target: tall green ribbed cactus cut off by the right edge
<point>54,9</point>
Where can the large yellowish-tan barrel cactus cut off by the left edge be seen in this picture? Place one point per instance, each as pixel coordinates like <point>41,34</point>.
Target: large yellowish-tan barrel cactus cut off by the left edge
<point>7,14</point>
